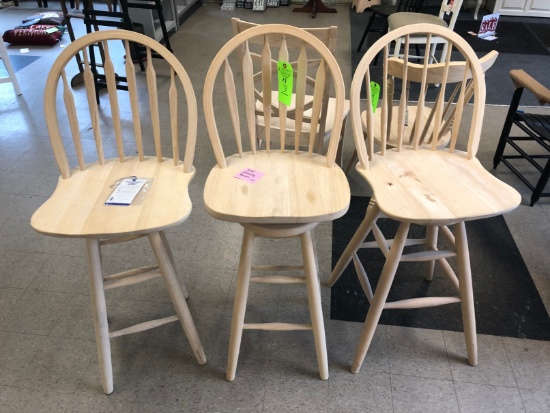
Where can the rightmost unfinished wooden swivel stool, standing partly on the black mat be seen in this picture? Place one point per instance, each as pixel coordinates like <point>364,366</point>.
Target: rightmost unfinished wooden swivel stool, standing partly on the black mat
<point>425,185</point>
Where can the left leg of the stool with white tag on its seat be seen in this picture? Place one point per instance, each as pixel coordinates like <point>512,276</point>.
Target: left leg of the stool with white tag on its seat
<point>99,310</point>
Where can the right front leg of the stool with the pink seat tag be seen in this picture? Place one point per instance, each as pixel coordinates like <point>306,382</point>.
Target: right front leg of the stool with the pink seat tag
<point>314,300</point>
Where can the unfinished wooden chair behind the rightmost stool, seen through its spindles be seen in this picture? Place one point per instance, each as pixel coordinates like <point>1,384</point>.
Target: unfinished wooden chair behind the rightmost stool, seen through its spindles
<point>434,77</point>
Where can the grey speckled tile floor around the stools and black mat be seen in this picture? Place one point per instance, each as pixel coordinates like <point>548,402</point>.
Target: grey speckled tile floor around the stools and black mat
<point>47,349</point>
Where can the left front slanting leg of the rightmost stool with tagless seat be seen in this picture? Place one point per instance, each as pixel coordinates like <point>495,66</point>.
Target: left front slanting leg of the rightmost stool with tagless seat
<point>380,295</point>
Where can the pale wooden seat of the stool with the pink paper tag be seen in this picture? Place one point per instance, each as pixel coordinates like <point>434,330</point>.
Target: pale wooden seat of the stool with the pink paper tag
<point>293,189</point>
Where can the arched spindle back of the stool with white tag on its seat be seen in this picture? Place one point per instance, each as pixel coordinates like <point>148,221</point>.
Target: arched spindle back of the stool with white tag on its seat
<point>120,121</point>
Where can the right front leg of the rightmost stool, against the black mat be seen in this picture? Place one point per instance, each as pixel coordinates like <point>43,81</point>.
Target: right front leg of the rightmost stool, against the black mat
<point>466,291</point>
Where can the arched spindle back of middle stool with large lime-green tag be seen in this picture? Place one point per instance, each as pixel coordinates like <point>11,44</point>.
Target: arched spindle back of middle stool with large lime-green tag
<point>245,99</point>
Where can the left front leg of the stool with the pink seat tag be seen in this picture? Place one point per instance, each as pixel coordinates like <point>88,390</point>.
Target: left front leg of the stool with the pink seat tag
<point>239,306</point>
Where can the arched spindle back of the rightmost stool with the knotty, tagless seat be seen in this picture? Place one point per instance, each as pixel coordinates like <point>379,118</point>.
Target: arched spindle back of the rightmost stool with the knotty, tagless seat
<point>468,71</point>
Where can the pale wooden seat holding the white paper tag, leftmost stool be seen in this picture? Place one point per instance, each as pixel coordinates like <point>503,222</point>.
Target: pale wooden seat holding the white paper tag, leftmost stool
<point>77,207</point>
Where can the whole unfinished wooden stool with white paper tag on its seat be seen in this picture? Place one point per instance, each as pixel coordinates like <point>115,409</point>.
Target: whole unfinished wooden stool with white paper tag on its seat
<point>77,208</point>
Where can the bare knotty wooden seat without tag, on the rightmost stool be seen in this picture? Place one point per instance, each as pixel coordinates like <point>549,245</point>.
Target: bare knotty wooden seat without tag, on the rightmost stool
<point>436,187</point>
